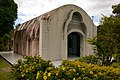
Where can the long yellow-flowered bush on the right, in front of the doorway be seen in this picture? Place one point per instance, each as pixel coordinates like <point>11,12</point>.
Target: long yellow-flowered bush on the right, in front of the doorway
<point>76,70</point>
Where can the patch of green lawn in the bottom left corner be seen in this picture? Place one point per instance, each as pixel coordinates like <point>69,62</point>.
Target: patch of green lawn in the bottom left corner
<point>5,69</point>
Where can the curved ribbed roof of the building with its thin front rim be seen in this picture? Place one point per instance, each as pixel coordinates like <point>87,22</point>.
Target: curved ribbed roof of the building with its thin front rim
<point>31,28</point>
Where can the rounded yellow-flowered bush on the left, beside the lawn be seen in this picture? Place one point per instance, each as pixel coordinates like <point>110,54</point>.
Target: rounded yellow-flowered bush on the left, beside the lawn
<point>30,68</point>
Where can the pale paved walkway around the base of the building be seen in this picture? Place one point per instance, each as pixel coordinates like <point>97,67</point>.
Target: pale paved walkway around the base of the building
<point>13,57</point>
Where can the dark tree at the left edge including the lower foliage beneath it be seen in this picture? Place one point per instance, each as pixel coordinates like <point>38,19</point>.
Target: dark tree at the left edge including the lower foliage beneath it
<point>8,14</point>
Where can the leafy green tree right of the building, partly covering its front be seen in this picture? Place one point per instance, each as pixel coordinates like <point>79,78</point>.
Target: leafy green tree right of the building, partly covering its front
<point>108,37</point>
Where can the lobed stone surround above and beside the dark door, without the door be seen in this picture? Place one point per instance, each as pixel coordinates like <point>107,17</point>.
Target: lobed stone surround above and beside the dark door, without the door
<point>74,25</point>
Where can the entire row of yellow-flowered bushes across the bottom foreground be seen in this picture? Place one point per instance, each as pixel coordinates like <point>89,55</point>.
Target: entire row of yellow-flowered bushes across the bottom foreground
<point>35,68</point>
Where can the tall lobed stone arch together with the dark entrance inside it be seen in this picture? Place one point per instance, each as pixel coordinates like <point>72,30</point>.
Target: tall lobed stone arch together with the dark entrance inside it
<point>76,26</point>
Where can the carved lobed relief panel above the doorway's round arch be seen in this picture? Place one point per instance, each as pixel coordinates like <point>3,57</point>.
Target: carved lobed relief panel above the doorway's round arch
<point>75,21</point>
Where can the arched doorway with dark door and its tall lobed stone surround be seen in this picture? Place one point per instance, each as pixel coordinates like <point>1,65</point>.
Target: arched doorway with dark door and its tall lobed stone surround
<point>74,27</point>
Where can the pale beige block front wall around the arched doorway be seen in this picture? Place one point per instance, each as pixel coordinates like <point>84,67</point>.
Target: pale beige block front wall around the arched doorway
<point>54,33</point>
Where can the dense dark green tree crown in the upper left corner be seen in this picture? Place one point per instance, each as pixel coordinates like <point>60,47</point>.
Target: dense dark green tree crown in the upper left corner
<point>8,14</point>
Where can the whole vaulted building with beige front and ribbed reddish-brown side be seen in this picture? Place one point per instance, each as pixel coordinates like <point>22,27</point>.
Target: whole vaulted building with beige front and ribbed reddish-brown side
<point>48,35</point>
